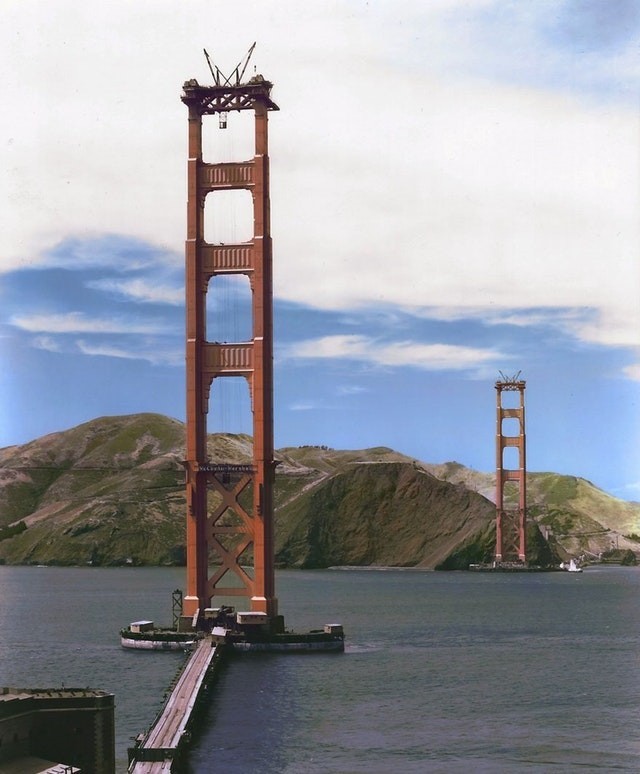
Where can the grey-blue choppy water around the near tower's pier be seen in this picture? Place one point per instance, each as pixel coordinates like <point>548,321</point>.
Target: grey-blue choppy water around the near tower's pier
<point>443,672</point>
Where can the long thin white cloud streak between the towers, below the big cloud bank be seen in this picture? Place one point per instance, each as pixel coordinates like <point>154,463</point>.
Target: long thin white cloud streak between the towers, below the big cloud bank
<point>431,357</point>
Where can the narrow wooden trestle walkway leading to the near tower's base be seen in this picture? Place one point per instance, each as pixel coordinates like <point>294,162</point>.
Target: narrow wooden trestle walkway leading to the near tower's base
<point>163,747</point>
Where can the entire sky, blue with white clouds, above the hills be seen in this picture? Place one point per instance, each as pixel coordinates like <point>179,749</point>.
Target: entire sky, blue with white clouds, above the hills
<point>455,194</point>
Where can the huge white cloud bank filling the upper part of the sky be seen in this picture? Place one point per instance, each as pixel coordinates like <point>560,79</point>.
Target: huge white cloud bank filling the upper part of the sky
<point>392,182</point>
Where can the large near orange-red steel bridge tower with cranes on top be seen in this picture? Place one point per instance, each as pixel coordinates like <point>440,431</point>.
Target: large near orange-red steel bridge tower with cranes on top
<point>229,507</point>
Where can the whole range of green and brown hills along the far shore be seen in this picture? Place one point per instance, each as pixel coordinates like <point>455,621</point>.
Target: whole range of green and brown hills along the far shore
<point>111,492</point>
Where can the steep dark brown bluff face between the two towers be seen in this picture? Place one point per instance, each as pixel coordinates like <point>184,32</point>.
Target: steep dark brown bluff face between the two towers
<point>391,514</point>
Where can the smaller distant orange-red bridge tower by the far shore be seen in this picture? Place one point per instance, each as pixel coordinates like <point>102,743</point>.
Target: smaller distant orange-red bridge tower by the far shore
<point>511,524</point>
